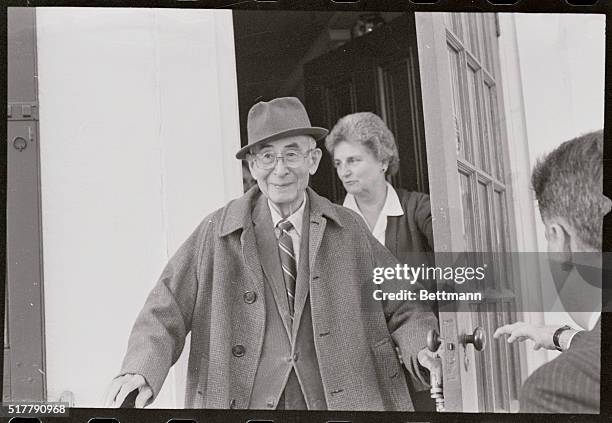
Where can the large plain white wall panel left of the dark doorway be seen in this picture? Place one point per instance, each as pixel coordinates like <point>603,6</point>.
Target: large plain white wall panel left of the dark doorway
<point>138,128</point>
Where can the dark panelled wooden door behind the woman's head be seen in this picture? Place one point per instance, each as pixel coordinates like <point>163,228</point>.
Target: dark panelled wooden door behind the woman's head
<point>377,72</point>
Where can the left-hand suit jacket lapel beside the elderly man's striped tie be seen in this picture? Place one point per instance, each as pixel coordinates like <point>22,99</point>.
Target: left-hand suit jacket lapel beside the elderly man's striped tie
<point>267,247</point>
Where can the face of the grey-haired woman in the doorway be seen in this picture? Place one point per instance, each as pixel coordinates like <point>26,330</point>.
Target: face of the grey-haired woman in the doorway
<point>358,168</point>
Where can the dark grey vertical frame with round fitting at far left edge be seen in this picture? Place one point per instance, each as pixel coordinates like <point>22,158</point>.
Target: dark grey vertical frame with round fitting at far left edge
<point>24,315</point>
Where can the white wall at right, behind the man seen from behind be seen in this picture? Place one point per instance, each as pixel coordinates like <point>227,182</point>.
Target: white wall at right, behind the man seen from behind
<point>562,68</point>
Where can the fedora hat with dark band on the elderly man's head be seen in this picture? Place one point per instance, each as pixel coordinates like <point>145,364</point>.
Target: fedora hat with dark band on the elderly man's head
<point>275,119</point>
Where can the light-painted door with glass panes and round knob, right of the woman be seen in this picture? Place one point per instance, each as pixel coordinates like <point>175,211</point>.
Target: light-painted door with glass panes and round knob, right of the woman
<point>471,199</point>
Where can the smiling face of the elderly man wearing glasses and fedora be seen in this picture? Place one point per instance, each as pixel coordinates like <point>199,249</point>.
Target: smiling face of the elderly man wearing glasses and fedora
<point>284,183</point>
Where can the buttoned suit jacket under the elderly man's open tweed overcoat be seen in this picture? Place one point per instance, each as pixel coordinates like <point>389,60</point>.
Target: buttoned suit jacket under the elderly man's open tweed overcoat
<point>284,337</point>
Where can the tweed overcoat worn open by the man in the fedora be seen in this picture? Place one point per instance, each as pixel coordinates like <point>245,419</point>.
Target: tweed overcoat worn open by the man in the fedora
<point>213,287</point>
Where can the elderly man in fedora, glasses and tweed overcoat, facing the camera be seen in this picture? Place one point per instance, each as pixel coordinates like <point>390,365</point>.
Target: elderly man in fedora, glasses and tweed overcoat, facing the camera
<point>274,290</point>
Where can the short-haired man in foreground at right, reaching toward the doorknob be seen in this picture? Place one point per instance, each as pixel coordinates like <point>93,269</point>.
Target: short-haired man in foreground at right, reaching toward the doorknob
<point>568,187</point>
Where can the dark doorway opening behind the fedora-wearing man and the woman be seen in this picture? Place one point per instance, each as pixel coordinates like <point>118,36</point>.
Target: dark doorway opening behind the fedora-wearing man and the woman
<point>318,58</point>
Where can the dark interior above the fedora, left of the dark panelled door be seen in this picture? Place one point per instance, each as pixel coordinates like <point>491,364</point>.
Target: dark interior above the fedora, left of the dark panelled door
<point>273,46</point>
